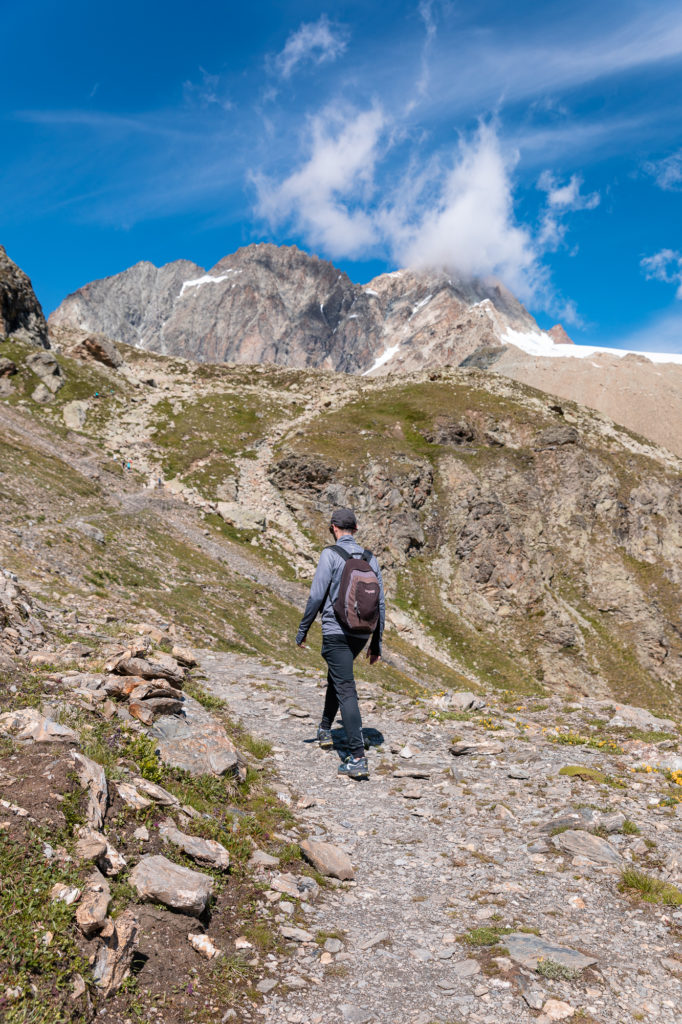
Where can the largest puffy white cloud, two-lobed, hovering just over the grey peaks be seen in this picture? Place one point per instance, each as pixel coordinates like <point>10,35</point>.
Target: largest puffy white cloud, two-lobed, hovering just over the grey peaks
<point>456,215</point>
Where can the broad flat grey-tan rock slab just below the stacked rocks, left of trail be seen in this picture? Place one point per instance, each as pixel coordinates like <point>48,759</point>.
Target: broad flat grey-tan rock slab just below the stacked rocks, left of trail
<point>196,743</point>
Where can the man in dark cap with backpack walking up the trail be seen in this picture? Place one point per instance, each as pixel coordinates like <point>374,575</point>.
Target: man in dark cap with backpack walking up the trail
<point>349,588</point>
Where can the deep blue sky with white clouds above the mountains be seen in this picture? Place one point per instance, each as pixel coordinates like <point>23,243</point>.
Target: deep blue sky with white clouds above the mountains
<point>541,143</point>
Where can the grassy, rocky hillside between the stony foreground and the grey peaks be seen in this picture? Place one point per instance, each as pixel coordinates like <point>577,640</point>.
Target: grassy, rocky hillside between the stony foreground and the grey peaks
<point>526,545</point>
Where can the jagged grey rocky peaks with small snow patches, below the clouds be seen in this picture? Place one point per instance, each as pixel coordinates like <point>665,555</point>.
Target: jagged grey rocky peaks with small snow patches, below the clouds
<point>269,304</point>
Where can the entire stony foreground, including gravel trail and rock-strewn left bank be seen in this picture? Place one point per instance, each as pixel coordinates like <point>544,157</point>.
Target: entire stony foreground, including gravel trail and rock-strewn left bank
<point>509,858</point>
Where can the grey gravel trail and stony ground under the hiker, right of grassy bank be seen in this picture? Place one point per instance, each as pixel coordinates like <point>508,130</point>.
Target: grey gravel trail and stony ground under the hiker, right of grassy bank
<point>487,882</point>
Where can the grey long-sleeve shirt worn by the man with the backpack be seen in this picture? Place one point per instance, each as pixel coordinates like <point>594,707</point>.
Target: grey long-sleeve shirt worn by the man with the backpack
<point>325,590</point>
